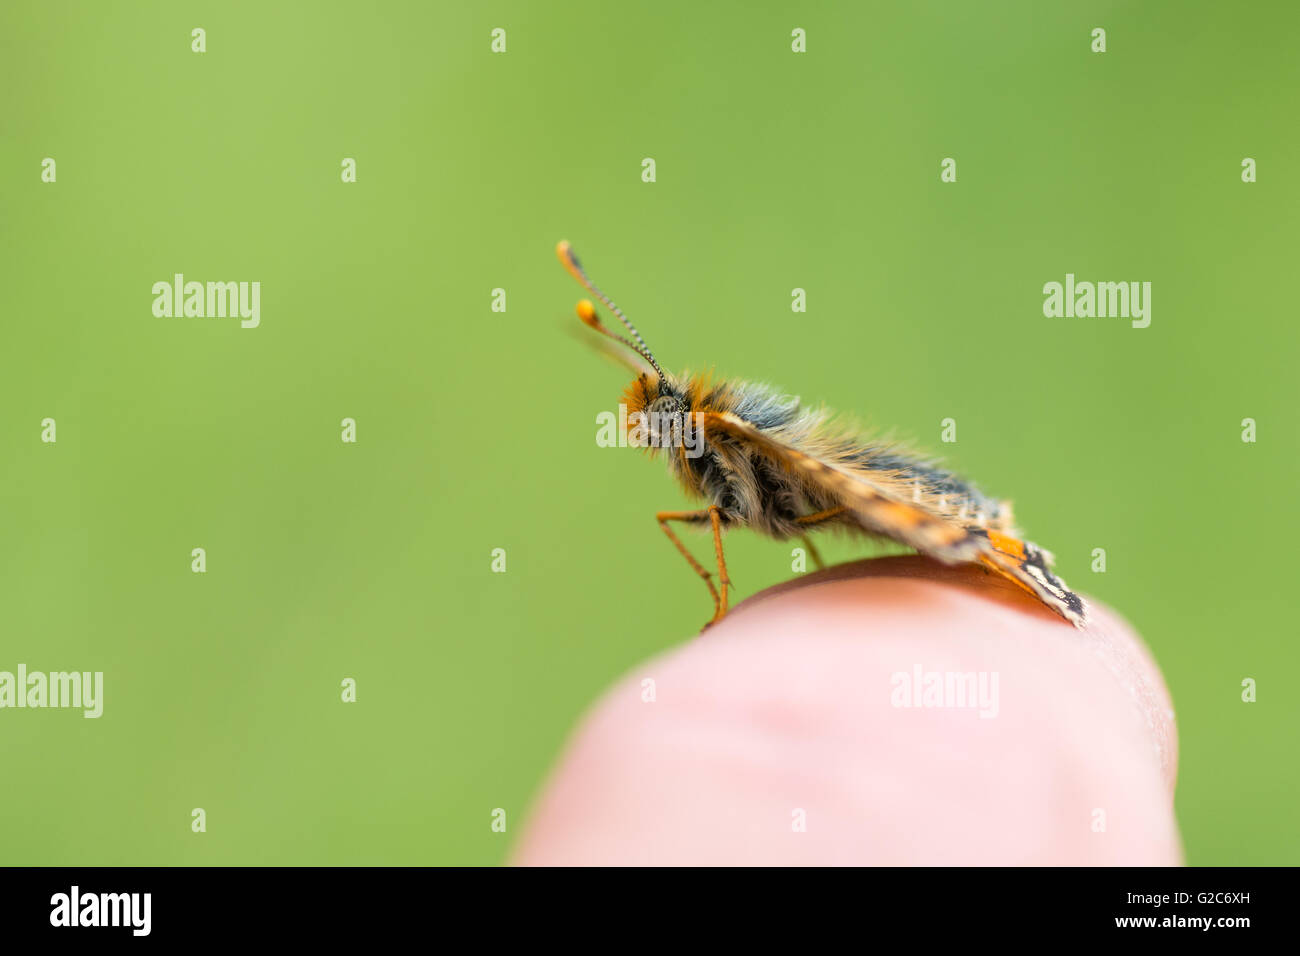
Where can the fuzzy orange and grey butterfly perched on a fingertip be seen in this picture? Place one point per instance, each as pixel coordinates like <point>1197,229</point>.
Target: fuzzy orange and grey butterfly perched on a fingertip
<point>761,460</point>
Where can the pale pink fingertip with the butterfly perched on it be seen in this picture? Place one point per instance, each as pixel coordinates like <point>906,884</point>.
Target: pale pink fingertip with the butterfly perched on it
<point>787,704</point>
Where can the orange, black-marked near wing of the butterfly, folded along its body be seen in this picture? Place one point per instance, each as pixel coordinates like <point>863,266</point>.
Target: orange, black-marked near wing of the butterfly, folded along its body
<point>939,529</point>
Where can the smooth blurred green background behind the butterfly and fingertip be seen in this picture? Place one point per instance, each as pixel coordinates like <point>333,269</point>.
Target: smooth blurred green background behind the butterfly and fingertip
<point>476,429</point>
